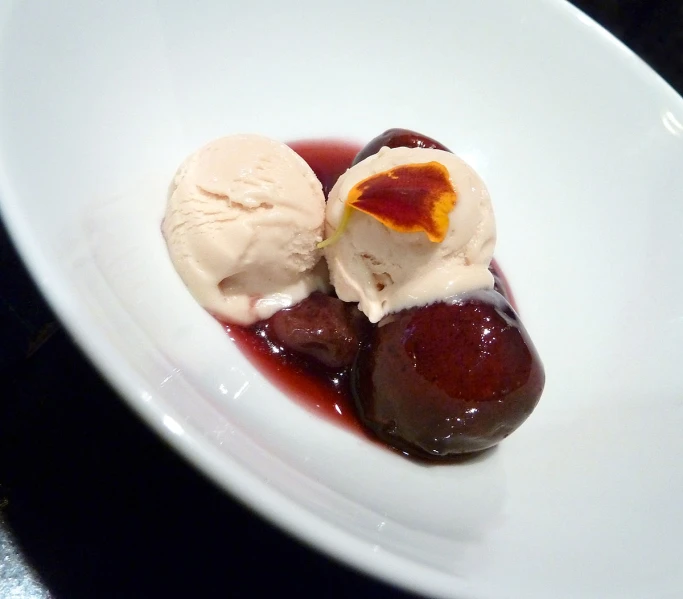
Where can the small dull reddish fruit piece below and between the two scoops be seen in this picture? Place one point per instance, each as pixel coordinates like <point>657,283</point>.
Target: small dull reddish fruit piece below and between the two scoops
<point>323,328</point>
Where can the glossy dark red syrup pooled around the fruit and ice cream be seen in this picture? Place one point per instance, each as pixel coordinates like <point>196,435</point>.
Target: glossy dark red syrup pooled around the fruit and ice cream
<point>324,391</point>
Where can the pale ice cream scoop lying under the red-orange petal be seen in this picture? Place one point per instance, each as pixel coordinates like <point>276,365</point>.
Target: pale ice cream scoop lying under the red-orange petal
<point>385,270</point>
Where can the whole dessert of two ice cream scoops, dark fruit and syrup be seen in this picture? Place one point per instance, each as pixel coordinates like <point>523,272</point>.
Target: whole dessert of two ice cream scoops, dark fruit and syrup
<point>409,331</point>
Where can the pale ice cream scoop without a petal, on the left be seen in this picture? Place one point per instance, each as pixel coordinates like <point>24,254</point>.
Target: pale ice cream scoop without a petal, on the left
<point>242,224</point>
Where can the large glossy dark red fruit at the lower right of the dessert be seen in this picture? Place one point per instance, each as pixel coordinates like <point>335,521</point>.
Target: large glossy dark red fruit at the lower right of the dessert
<point>448,379</point>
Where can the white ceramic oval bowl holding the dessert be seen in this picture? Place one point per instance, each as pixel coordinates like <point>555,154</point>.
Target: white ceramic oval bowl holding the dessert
<point>581,146</point>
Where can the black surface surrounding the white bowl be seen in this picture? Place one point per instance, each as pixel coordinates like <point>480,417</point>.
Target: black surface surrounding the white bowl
<point>93,504</point>
